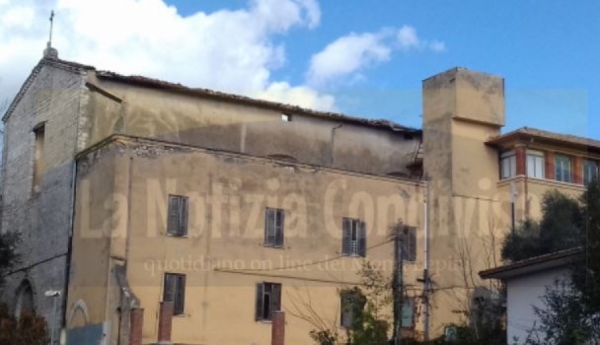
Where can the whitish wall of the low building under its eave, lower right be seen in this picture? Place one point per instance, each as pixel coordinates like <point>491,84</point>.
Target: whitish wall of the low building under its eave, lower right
<point>523,293</point>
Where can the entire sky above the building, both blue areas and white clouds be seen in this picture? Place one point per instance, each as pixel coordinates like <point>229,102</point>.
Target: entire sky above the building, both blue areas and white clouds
<point>362,58</point>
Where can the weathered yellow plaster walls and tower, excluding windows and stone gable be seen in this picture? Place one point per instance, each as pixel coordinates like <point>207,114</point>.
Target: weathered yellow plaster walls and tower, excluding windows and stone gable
<point>233,159</point>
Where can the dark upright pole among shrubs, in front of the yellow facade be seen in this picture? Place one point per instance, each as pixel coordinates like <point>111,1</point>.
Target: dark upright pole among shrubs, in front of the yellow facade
<point>398,284</point>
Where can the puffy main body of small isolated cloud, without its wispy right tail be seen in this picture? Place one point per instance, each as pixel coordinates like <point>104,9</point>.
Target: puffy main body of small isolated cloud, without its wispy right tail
<point>347,55</point>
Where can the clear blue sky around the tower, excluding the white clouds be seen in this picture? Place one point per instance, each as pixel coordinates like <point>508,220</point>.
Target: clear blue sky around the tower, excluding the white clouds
<point>547,51</point>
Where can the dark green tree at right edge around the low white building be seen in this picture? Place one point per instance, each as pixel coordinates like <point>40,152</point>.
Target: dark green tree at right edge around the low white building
<point>570,314</point>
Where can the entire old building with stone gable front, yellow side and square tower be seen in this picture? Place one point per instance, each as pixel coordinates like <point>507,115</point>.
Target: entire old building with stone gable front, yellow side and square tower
<point>129,191</point>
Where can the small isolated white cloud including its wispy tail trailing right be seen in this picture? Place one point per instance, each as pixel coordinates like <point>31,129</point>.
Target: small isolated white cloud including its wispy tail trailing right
<point>346,57</point>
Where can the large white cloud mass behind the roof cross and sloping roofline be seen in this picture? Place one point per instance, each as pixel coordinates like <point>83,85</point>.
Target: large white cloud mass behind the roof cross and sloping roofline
<point>228,50</point>
